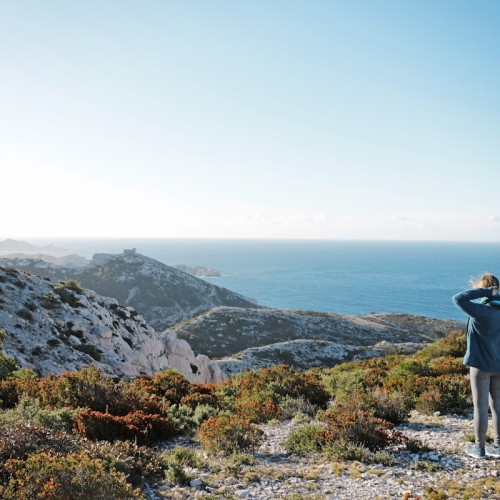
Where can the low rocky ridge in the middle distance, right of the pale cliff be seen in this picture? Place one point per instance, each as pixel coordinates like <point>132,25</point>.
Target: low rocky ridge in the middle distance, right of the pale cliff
<point>254,338</point>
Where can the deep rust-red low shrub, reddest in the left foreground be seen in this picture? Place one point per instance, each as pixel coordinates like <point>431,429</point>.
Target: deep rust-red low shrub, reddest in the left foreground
<point>137,426</point>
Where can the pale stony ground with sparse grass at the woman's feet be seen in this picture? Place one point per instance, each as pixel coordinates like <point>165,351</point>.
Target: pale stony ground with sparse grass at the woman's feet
<point>278,474</point>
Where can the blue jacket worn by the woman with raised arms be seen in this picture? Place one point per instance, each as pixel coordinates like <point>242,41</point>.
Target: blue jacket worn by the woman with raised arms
<point>483,329</point>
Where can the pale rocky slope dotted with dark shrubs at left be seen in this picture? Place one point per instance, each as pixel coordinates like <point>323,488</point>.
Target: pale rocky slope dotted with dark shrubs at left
<point>53,327</point>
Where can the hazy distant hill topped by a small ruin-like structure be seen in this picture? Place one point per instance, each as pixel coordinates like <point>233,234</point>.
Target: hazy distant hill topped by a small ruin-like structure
<point>163,294</point>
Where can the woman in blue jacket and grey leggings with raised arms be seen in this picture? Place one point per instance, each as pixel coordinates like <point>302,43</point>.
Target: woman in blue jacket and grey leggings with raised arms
<point>483,359</point>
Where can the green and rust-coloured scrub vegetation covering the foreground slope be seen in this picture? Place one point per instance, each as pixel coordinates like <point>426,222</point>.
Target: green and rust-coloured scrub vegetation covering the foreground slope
<point>81,431</point>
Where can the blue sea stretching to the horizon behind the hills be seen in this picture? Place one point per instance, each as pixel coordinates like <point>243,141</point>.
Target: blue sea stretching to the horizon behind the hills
<point>345,277</point>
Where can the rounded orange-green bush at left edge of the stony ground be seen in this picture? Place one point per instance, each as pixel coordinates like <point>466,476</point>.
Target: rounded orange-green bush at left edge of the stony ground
<point>228,434</point>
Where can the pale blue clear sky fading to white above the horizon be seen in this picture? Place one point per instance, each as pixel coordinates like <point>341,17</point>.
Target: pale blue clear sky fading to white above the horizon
<point>329,119</point>
